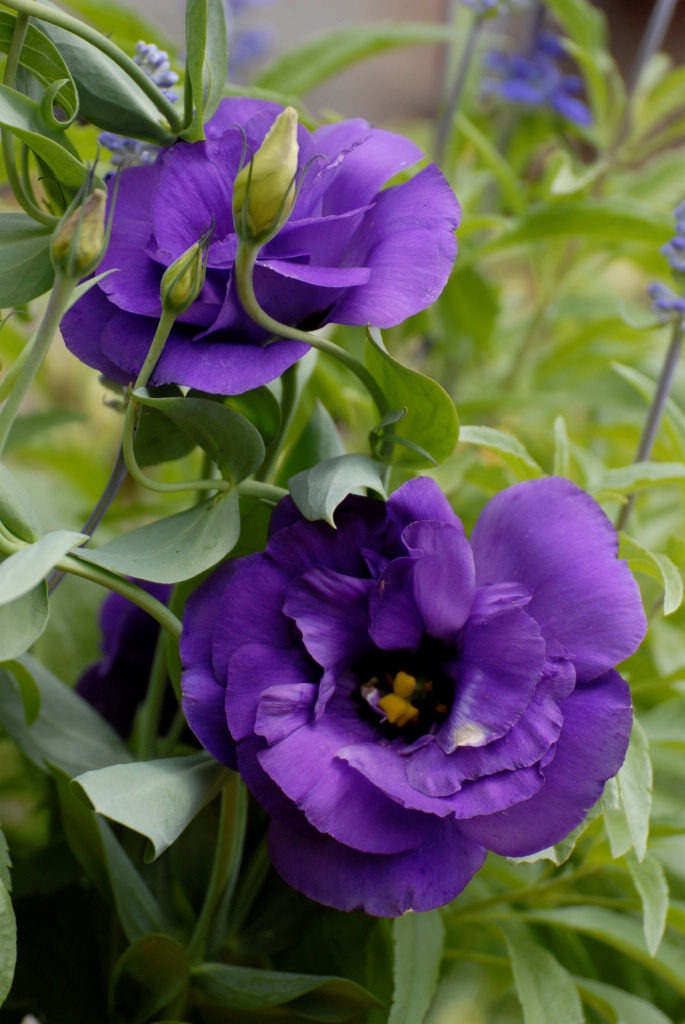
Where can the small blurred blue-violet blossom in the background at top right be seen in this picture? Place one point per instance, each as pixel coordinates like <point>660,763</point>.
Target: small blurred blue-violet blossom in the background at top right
<point>536,79</point>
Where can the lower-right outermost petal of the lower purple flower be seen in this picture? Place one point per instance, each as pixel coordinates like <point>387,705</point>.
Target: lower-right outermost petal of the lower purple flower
<point>590,751</point>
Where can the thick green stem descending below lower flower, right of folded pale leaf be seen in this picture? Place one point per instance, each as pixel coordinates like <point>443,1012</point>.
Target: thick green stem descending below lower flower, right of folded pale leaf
<point>230,842</point>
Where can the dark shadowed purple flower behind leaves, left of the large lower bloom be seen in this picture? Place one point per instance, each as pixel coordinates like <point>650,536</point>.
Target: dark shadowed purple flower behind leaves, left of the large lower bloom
<point>116,686</point>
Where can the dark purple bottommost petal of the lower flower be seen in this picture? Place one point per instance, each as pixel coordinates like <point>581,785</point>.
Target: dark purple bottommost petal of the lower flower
<point>382,886</point>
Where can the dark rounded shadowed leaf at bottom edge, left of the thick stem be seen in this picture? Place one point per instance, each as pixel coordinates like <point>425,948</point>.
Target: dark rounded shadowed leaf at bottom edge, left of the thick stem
<point>148,976</point>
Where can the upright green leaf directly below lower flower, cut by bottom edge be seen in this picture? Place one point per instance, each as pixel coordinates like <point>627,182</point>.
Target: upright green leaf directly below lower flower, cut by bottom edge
<point>419,943</point>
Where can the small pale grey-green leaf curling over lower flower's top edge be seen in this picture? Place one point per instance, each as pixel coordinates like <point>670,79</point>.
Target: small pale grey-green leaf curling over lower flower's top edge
<point>319,492</point>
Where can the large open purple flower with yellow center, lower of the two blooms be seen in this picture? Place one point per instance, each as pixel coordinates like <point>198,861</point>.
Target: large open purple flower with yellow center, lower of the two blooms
<point>402,701</point>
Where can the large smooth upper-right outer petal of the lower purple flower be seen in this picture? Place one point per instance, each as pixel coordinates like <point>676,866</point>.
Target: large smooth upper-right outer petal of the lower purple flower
<point>554,539</point>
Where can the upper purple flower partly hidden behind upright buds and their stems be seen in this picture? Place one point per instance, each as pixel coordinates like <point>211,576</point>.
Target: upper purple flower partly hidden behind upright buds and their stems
<point>350,253</point>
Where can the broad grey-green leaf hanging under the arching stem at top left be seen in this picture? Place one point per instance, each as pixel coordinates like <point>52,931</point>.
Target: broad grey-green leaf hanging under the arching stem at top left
<point>108,98</point>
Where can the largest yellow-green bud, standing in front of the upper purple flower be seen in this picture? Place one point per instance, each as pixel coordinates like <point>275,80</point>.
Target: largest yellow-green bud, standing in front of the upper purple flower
<point>265,190</point>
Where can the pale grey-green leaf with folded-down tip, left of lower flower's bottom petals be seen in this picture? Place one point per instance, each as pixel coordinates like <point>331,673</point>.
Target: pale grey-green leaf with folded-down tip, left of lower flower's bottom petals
<point>158,799</point>
